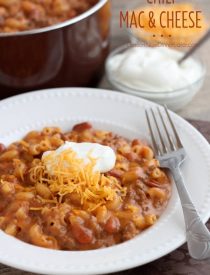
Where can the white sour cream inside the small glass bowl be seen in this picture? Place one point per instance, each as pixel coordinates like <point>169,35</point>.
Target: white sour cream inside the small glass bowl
<point>153,69</point>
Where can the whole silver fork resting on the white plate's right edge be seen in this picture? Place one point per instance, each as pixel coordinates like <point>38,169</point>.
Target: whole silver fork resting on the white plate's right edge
<point>171,154</point>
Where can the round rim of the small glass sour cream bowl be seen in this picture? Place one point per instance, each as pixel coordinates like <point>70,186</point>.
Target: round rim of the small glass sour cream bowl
<point>147,92</point>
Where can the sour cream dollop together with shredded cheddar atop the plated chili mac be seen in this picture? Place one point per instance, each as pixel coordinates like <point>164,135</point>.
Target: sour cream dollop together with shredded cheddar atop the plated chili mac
<point>65,172</point>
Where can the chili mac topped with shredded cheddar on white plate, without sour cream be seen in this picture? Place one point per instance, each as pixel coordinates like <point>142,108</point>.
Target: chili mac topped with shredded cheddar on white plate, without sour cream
<point>75,207</point>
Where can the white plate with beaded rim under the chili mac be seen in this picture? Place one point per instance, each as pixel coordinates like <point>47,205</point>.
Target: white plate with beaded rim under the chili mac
<point>123,114</point>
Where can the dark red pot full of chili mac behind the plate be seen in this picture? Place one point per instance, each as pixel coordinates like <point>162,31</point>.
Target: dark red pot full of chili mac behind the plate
<point>52,43</point>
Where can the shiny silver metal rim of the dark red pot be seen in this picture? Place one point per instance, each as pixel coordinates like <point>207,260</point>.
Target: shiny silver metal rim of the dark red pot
<point>66,23</point>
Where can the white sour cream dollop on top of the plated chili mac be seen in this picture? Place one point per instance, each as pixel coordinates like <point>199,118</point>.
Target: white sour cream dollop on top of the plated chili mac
<point>104,155</point>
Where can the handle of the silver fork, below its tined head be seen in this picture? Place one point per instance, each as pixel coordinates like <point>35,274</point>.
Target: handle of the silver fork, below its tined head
<point>198,236</point>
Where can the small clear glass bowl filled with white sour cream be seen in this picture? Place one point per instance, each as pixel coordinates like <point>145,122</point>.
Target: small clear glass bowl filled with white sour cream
<point>153,73</point>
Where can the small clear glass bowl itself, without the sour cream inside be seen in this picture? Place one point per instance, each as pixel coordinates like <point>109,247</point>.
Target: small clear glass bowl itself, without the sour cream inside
<point>175,100</point>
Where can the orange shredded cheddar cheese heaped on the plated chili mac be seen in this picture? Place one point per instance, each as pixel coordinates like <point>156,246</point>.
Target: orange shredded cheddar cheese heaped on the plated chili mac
<point>68,174</point>
